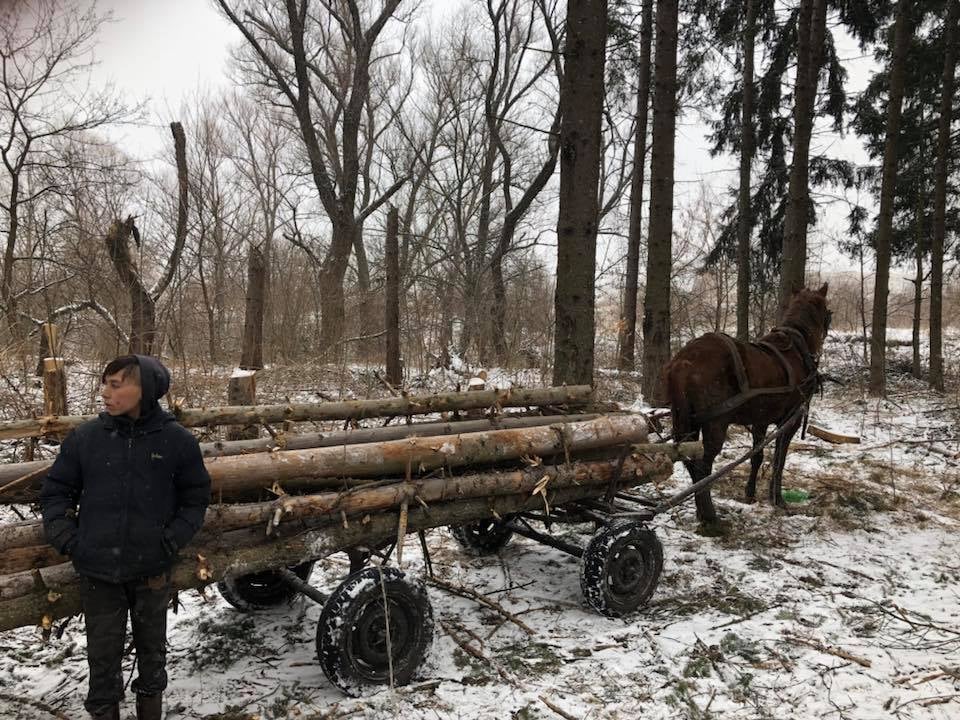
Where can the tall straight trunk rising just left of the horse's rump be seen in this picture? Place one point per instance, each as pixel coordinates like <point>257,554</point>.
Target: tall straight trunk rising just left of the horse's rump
<point>656,302</point>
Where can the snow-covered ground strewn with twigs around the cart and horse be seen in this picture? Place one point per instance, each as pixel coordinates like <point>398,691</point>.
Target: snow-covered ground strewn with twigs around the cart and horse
<point>846,605</point>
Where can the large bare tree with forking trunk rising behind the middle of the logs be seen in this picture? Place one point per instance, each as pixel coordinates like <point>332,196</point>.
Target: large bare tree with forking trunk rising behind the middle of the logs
<point>320,64</point>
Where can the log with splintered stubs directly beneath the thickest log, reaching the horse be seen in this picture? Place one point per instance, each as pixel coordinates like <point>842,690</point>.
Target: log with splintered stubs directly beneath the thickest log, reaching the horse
<point>332,506</point>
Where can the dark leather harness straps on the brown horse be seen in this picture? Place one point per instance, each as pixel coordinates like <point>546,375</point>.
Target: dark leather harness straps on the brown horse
<point>806,386</point>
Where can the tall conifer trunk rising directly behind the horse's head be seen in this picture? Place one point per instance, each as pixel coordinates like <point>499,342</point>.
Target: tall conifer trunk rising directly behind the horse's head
<point>811,27</point>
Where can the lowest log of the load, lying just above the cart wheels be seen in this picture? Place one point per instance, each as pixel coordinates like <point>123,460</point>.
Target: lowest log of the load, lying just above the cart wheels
<point>54,591</point>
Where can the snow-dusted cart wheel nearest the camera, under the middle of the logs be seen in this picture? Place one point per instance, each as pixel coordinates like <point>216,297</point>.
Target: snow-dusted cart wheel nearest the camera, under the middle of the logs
<point>351,633</point>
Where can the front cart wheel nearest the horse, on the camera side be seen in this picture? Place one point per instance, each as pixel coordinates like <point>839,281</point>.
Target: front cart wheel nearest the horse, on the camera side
<point>620,568</point>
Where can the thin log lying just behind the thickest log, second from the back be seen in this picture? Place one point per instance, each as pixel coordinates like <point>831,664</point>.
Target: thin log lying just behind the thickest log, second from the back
<point>34,472</point>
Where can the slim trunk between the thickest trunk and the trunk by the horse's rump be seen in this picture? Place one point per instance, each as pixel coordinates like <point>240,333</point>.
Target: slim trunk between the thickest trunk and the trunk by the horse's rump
<point>627,340</point>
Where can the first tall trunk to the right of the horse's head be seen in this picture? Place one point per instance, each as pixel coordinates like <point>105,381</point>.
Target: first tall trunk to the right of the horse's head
<point>878,335</point>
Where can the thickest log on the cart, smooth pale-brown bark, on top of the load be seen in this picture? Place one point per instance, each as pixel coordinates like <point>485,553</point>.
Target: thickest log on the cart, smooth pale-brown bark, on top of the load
<point>242,476</point>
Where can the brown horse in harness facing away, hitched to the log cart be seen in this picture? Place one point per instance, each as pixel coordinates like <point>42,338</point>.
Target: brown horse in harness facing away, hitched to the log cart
<point>714,381</point>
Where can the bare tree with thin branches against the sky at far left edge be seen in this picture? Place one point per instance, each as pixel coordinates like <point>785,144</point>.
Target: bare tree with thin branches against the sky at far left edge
<point>44,56</point>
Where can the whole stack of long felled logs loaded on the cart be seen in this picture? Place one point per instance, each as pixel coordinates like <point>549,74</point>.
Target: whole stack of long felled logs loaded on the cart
<point>330,491</point>
